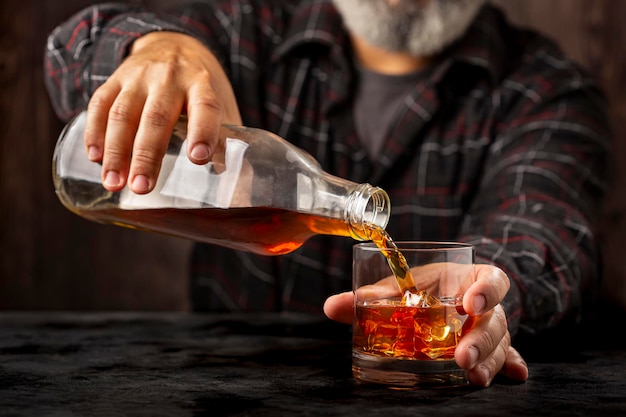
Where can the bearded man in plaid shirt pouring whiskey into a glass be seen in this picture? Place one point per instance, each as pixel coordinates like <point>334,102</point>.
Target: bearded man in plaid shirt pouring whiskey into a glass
<point>478,131</point>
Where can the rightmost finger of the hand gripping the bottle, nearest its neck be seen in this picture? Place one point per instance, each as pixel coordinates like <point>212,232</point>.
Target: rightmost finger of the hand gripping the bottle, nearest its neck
<point>205,115</point>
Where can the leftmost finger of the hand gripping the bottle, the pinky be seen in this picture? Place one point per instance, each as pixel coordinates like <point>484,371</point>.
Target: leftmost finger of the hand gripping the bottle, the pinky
<point>96,122</point>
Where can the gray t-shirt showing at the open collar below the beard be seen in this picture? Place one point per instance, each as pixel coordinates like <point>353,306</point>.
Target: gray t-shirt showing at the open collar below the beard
<point>377,99</point>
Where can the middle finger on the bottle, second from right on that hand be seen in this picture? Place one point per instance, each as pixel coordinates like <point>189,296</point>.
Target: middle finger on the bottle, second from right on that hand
<point>153,135</point>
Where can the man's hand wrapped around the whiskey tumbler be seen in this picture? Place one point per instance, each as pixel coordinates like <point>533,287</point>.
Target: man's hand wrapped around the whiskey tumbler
<point>484,351</point>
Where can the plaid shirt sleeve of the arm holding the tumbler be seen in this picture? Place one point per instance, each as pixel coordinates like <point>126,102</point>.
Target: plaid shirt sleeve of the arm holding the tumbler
<point>539,201</point>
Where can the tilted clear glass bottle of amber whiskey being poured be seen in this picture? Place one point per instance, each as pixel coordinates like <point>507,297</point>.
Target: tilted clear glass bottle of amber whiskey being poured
<point>259,193</point>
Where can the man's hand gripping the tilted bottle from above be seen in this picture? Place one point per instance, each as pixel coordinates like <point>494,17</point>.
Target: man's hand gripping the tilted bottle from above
<point>136,109</point>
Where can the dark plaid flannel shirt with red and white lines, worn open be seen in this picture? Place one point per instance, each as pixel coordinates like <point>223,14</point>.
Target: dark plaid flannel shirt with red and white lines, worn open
<point>503,145</point>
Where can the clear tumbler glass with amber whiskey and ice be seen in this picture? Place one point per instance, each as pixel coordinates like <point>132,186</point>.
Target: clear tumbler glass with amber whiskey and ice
<point>408,340</point>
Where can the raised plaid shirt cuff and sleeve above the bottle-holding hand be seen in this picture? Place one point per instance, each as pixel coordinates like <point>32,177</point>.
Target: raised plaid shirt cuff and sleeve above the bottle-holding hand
<point>83,51</point>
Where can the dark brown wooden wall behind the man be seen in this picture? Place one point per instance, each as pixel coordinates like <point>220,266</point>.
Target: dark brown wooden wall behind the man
<point>51,259</point>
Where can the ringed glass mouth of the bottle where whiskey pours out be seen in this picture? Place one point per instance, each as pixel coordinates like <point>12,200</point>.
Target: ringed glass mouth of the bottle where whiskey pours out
<point>368,207</point>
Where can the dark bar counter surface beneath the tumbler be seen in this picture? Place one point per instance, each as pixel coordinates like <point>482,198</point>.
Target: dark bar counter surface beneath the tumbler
<point>162,364</point>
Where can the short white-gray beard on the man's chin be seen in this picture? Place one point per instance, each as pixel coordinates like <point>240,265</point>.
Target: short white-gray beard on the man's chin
<point>419,27</point>
